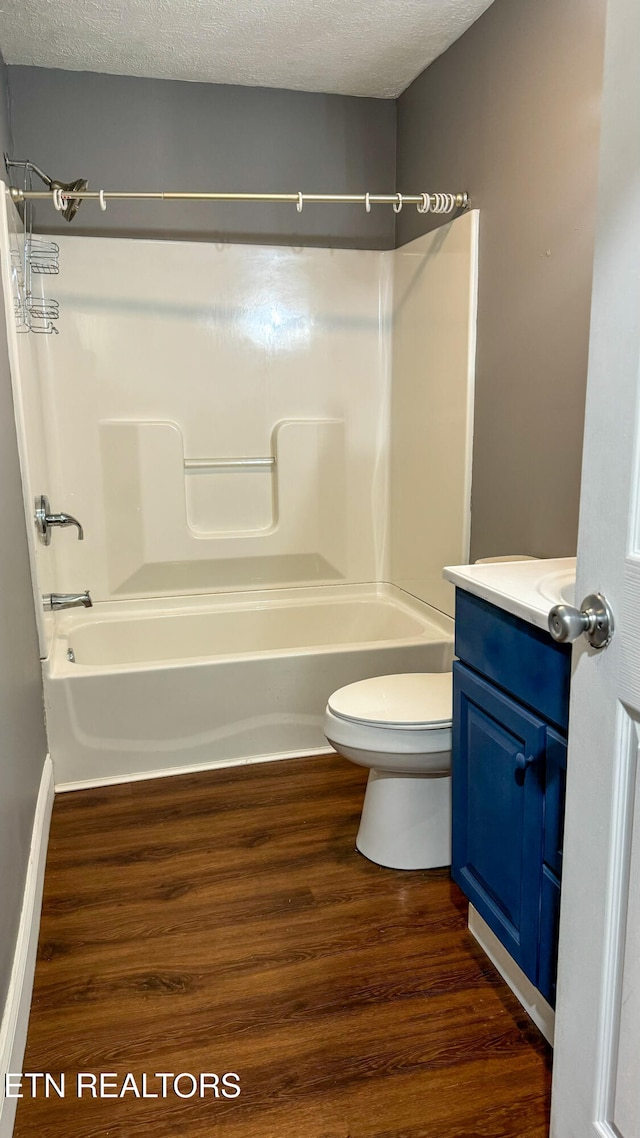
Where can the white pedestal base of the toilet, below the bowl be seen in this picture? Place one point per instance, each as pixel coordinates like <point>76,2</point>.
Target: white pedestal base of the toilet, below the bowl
<point>406,821</point>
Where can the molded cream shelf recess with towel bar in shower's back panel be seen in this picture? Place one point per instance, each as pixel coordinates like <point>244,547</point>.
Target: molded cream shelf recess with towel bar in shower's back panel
<point>166,514</point>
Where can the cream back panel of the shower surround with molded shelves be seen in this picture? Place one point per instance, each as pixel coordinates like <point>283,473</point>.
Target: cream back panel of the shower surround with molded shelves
<point>174,362</point>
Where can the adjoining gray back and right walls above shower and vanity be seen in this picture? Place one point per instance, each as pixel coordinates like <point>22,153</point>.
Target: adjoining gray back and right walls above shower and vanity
<point>511,113</point>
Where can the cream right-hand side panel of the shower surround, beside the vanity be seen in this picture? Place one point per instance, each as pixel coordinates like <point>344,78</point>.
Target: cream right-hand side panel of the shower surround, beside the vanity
<point>434,344</point>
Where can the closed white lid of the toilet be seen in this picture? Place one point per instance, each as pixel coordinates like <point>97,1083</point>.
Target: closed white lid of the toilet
<point>421,699</point>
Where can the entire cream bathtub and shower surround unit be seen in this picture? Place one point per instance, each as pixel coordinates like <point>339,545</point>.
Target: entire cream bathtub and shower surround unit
<point>231,425</point>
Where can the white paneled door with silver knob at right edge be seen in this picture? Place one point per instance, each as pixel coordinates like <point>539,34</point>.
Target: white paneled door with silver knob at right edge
<point>597,1059</point>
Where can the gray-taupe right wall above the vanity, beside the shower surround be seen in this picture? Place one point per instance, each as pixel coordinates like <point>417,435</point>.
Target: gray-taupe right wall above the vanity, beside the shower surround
<point>511,113</point>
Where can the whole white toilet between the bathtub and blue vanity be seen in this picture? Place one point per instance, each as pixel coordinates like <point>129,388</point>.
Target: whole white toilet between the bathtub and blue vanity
<point>400,727</point>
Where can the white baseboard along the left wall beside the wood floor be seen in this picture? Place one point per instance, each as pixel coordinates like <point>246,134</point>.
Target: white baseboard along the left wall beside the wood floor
<point>15,1019</point>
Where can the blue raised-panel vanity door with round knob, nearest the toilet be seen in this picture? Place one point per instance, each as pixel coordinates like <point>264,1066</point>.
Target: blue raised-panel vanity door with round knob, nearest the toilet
<point>498,812</point>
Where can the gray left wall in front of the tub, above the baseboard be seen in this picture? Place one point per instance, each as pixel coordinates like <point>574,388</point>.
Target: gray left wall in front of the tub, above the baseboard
<point>23,745</point>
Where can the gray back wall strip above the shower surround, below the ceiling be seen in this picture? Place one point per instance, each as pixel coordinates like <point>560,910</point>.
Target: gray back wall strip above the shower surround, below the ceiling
<point>140,134</point>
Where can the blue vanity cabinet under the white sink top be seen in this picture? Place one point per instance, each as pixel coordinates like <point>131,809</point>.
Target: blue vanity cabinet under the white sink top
<point>511,710</point>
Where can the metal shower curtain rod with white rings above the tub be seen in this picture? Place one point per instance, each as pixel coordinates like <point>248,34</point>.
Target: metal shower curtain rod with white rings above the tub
<point>426,203</point>
